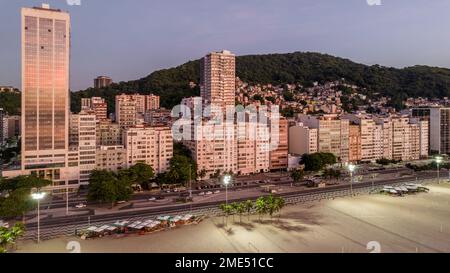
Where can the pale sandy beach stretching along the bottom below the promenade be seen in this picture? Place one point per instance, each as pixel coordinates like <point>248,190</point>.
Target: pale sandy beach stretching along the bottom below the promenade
<point>416,223</point>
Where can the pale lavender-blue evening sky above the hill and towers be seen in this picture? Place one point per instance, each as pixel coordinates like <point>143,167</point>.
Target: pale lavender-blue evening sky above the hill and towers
<point>129,39</point>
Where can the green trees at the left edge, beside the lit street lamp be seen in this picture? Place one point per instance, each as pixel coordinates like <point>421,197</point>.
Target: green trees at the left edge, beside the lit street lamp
<point>16,199</point>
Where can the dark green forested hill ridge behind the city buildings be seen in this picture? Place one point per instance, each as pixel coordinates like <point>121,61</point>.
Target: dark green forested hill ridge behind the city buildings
<point>304,68</point>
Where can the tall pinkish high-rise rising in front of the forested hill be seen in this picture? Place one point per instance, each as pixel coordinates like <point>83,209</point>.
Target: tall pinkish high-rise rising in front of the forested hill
<point>218,79</point>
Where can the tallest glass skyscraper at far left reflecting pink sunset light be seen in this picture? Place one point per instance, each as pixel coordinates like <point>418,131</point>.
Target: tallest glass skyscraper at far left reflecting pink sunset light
<point>45,91</point>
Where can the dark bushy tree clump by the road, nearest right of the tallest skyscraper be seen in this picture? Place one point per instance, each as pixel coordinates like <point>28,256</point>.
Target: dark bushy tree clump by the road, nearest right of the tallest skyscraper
<point>108,187</point>
